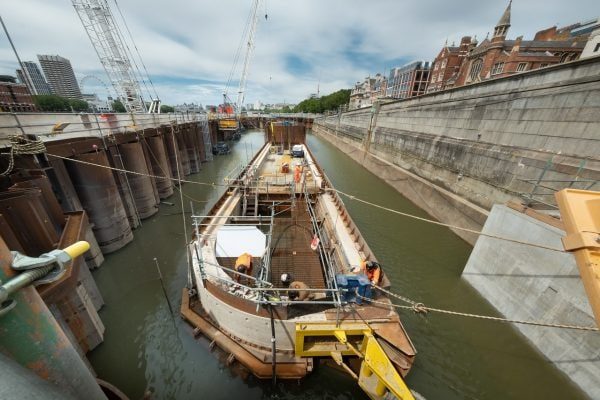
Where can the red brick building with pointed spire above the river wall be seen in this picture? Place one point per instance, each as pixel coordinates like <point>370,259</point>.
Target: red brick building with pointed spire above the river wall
<point>498,57</point>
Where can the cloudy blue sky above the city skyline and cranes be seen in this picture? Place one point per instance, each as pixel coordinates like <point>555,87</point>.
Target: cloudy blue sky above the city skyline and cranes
<point>188,46</point>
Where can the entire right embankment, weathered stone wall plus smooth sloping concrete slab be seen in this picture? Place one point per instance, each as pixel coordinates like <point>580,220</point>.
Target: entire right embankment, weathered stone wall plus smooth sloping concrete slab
<point>518,139</point>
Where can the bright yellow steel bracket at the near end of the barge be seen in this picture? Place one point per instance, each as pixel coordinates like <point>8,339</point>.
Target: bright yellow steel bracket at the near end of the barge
<point>377,377</point>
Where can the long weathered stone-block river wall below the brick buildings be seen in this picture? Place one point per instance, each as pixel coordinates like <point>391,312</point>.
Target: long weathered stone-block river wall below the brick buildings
<point>483,141</point>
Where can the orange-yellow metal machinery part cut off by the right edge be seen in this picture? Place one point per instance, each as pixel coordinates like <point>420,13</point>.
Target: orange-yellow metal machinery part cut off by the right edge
<point>580,213</point>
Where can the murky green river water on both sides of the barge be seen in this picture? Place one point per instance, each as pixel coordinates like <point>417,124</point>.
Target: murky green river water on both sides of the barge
<point>146,349</point>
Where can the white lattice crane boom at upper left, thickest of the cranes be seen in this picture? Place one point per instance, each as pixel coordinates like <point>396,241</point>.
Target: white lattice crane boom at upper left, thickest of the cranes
<point>113,52</point>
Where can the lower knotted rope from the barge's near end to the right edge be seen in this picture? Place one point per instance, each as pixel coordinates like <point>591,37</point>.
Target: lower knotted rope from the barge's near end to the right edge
<point>422,309</point>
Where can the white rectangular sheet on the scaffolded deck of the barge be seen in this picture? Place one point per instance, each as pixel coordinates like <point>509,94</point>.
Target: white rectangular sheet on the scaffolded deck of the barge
<point>233,241</point>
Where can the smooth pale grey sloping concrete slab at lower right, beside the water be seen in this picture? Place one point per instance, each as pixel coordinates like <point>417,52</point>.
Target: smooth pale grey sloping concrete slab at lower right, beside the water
<point>529,283</point>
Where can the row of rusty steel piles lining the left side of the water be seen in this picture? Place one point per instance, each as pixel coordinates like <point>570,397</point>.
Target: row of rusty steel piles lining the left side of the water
<point>45,203</point>
